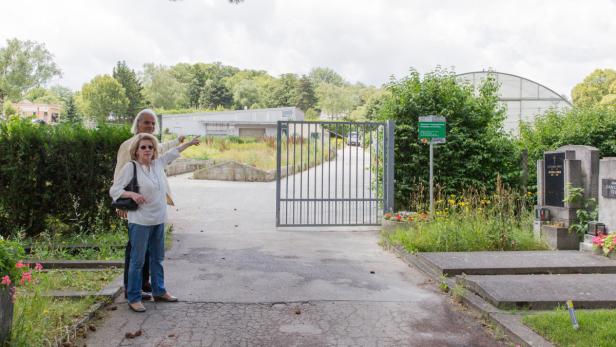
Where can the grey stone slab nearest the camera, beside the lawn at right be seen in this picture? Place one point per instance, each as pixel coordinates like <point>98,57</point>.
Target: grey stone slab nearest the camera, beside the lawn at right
<point>544,291</point>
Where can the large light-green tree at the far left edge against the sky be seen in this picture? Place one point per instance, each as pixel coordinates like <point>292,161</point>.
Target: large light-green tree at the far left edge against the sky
<point>24,65</point>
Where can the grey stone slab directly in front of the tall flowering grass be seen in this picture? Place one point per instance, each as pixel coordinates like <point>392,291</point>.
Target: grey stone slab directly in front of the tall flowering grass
<point>517,263</point>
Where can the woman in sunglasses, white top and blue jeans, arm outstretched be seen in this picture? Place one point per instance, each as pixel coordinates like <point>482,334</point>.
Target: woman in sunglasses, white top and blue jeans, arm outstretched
<point>146,225</point>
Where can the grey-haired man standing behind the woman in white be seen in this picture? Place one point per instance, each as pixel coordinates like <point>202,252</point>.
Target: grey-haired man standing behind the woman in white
<point>145,122</point>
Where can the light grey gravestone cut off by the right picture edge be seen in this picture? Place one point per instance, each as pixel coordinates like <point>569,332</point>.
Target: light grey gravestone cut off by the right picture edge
<point>607,198</point>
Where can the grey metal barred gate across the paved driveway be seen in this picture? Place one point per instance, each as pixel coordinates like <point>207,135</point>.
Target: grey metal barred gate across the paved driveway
<point>333,173</point>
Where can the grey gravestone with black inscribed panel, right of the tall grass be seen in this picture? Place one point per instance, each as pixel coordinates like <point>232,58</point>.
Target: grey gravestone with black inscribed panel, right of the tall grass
<point>573,166</point>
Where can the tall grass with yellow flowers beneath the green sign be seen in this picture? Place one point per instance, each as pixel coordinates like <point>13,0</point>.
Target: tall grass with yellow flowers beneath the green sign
<point>472,221</point>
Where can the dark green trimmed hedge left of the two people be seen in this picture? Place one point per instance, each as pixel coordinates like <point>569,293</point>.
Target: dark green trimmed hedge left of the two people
<point>56,177</point>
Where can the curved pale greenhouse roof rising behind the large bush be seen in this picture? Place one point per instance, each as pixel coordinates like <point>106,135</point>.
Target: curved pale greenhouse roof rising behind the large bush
<point>524,99</point>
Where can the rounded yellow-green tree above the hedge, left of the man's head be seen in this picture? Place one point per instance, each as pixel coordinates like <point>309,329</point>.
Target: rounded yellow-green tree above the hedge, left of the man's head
<point>102,96</point>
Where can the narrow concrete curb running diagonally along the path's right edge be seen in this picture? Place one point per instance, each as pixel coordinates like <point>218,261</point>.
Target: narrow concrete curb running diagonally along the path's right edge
<point>511,324</point>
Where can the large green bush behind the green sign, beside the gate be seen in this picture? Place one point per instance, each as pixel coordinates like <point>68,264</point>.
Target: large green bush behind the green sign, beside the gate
<point>477,149</point>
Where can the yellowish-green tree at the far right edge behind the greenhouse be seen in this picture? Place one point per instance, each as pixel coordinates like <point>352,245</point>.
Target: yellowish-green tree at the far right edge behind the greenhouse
<point>598,87</point>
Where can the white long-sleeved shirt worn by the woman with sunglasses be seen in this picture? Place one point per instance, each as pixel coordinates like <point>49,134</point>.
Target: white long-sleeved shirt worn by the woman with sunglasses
<point>152,185</point>
